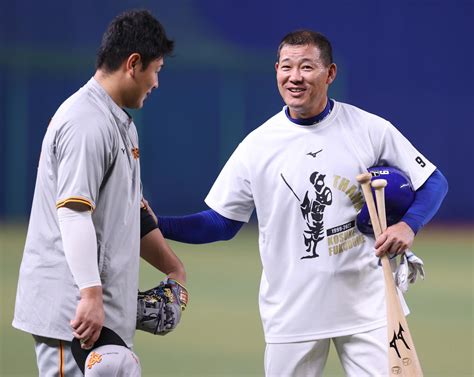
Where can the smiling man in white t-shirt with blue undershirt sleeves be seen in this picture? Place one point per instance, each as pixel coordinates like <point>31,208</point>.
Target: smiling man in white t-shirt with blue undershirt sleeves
<point>321,279</point>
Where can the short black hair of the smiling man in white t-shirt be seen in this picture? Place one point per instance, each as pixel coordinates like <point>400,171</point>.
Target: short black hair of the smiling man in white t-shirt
<point>304,37</point>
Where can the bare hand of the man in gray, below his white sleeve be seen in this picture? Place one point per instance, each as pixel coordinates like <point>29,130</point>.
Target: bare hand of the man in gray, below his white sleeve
<point>89,317</point>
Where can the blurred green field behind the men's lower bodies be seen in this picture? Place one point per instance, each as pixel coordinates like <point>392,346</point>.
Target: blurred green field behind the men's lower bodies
<point>220,333</point>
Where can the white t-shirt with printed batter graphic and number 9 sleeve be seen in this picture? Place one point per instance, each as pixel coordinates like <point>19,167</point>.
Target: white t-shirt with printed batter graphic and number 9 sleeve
<point>320,277</point>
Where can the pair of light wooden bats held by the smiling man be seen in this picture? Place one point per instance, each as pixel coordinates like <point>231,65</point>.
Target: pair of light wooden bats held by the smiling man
<point>402,357</point>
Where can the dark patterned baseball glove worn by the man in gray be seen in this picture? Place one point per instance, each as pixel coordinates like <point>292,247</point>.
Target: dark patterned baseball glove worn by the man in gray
<point>159,309</point>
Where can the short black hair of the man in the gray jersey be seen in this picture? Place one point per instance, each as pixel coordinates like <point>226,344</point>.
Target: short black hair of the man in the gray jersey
<point>134,31</point>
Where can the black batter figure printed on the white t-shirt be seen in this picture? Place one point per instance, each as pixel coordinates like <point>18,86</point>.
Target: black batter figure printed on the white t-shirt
<point>312,208</point>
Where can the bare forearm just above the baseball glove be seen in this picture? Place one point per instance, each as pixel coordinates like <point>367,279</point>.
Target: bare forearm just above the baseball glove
<point>156,251</point>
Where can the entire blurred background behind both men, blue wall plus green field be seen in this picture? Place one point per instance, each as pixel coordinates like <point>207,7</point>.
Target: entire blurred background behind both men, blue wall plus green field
<point>409,61</point>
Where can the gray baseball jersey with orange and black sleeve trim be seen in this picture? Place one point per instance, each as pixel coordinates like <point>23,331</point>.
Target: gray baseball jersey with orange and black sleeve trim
<point>89,155</point>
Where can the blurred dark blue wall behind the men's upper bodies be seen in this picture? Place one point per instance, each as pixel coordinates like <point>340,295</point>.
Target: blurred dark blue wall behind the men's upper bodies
<point>408,61</point>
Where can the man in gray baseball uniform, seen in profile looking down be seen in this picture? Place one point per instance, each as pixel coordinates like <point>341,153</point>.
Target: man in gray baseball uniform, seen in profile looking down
<point>80,265</point>
